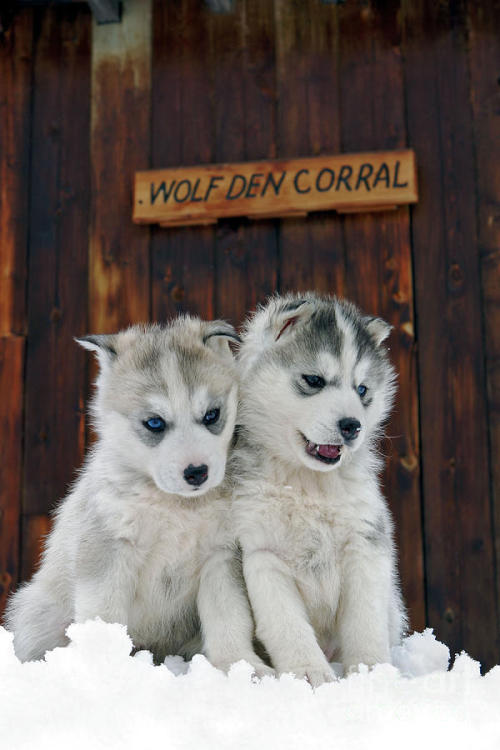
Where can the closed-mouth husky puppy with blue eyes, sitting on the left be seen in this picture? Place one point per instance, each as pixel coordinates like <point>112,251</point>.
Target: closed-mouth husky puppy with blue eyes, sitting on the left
<point>143,538</point>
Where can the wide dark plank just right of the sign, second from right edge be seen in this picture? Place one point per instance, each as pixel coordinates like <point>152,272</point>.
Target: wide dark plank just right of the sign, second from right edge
<point>458,524</point>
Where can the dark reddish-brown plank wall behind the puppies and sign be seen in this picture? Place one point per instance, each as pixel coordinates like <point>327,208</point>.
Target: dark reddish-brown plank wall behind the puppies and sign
<point>83,106</point>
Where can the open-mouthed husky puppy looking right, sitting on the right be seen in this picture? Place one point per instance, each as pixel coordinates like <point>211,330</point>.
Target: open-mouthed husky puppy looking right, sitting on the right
<point>315,531</point>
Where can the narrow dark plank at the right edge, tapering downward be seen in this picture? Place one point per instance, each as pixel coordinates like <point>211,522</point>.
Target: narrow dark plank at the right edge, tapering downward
<point>484,57</point>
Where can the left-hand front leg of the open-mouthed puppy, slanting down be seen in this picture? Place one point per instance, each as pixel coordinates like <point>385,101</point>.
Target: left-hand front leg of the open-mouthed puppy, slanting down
<point>281,618</point>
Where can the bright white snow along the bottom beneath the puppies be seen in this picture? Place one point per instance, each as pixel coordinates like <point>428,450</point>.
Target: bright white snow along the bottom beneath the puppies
<point>93,695</point>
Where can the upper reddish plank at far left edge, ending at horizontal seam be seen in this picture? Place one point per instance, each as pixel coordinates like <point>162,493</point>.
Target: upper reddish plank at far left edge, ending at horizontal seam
<point>15,92</point>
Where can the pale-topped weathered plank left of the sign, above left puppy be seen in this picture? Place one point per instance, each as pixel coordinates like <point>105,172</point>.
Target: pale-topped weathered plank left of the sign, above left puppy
<point>119,291</point>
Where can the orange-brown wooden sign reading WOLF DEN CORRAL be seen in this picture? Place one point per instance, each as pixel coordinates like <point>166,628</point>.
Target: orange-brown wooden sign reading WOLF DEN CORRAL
<point>346,182</point>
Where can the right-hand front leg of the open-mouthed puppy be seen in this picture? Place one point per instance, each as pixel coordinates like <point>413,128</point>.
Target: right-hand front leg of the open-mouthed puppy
<point>363,617</point>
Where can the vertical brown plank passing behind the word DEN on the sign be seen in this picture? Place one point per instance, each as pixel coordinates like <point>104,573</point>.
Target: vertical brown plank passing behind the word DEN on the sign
<point>241,53</point>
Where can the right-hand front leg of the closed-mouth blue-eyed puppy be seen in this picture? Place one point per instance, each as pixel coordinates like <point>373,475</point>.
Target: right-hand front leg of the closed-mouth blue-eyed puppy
<point>226,621</point>
